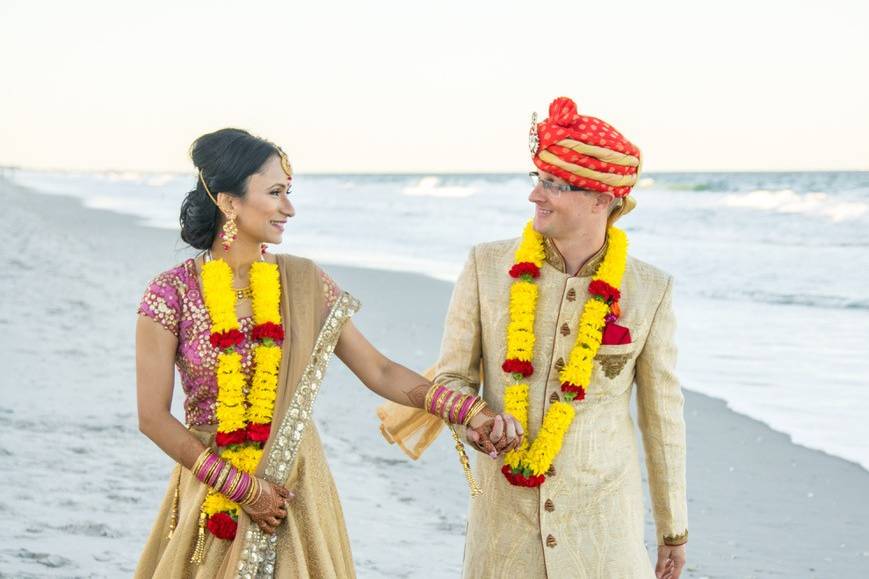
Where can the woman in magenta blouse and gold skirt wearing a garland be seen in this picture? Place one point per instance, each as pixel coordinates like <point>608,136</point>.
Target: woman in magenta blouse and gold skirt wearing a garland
<point>251,333</point>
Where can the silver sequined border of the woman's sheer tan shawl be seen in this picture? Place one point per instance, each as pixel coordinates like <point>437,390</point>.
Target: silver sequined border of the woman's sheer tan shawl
<point>259,549</point>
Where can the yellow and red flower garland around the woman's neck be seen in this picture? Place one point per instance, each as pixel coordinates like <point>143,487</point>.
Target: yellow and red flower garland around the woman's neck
<point>243,422</point>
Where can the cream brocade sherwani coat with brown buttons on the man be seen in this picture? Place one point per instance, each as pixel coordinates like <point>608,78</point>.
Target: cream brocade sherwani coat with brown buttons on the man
<point>586,520</point>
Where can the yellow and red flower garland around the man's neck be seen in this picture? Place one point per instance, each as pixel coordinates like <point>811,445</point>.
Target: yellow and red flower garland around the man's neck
<point>526,465</point>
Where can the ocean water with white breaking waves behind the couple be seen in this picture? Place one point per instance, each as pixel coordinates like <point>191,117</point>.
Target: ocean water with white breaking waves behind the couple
<point>772,269</point>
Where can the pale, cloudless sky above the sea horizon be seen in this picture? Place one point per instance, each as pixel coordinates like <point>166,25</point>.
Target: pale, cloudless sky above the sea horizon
<point>446,86</point>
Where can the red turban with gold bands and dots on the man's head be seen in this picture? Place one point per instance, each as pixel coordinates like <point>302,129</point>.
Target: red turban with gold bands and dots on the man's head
<point>584,151</point>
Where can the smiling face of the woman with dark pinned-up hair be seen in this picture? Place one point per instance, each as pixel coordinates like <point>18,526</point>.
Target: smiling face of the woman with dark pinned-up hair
<point>262,213</point>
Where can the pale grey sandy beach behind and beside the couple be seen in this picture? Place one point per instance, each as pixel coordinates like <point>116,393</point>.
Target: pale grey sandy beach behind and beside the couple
<point>83,484</point>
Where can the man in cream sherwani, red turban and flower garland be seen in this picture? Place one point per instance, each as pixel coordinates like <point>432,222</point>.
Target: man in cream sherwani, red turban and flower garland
<point>563,324</point>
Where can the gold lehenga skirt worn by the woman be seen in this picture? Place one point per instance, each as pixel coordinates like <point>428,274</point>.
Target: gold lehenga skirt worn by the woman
<point>312,541</point>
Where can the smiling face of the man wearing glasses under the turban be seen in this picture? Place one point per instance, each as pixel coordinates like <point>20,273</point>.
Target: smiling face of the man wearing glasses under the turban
<point>558,214</point>
